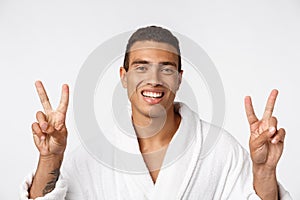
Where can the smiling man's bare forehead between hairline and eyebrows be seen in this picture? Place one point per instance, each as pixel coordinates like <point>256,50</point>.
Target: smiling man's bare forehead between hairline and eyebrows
<point>153,52</point>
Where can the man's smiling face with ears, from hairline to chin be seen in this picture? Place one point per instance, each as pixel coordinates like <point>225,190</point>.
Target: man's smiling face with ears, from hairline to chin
<point>152,78</point>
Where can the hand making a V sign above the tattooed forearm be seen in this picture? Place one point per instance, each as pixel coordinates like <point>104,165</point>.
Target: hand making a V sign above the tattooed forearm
<point>50,133</point>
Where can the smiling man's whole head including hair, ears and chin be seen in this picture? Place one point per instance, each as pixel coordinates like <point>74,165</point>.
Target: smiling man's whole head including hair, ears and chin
<point>152,71</point>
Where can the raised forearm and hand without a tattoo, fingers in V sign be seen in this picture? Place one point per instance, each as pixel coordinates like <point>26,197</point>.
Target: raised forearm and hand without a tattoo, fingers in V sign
<point>266,146</point>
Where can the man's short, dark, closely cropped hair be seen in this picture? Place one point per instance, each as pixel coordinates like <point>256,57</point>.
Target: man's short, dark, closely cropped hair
<point>152,33</point>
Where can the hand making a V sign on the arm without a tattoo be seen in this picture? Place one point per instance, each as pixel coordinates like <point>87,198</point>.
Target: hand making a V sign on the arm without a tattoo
<point>266,142</point>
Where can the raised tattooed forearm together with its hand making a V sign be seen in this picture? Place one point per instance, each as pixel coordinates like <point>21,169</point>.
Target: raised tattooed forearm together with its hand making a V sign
<point>50,138</point>
